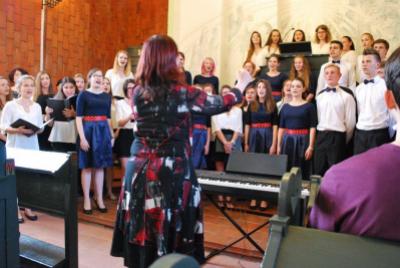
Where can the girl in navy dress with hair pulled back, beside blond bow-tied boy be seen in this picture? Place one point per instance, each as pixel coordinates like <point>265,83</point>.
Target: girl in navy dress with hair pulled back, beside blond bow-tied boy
<point>297,127</point>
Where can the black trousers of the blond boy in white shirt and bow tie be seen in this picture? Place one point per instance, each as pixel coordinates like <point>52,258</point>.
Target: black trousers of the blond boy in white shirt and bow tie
<point>330,149</point>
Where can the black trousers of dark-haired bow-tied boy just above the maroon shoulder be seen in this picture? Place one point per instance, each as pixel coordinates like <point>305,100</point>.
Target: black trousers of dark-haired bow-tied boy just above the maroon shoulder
<point>367,139</point>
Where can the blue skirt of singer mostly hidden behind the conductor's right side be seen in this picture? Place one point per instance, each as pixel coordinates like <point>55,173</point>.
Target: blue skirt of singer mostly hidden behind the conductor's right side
<point>199,141</point>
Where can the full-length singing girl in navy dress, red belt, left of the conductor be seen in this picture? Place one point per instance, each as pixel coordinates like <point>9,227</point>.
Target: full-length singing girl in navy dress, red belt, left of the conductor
<point>95,134</point>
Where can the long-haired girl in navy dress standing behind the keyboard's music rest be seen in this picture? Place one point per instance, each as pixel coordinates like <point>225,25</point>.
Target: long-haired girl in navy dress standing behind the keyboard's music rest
<point>262,127</point>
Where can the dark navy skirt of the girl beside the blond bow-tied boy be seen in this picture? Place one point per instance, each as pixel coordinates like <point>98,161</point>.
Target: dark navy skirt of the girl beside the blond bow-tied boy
<point>295,146</point>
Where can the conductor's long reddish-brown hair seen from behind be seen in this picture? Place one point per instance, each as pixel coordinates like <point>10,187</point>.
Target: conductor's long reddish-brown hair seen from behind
<point>157,70</point>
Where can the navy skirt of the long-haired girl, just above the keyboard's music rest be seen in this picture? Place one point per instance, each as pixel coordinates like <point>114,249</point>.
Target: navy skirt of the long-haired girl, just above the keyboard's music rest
<point>260,140</point>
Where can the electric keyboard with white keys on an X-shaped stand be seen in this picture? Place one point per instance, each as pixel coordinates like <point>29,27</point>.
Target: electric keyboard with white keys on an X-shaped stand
<point>244,185</point>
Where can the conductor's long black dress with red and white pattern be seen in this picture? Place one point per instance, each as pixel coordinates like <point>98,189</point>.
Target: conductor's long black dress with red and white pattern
<point>159,208</point>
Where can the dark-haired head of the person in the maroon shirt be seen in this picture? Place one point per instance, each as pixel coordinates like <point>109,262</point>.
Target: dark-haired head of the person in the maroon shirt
<point>392,74</point>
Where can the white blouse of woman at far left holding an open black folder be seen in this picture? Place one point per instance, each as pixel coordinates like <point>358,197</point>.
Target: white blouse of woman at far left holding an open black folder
<point>13,111</point>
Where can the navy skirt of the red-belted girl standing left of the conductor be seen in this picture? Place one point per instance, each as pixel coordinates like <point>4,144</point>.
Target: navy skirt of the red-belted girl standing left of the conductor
<point>99,155</point>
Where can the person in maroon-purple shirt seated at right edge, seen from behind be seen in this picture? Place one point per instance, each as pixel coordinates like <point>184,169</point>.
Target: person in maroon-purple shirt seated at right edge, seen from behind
<point>360,196</point>
